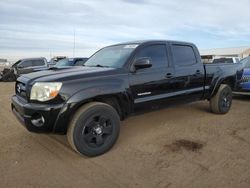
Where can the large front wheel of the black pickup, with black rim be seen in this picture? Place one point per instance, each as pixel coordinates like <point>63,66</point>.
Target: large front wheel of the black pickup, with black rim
<point>94,129</point>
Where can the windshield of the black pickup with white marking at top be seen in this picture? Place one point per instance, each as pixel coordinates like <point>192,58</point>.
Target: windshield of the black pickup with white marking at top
<point>112,56</point>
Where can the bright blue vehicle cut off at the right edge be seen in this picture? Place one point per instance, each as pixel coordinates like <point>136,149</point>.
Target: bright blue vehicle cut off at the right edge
<point>244,84</point>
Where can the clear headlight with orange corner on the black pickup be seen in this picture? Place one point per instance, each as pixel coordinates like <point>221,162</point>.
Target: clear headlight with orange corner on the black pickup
<point>44,91</point>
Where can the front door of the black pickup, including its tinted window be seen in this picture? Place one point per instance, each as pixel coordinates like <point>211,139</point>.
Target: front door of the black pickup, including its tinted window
<point>152,83</point>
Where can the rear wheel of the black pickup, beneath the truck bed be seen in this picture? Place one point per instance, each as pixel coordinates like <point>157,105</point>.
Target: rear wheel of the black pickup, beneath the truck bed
<point>221,102</point>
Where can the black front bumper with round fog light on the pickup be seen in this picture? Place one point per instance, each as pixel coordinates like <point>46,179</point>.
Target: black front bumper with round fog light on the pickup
<point>40,118</point>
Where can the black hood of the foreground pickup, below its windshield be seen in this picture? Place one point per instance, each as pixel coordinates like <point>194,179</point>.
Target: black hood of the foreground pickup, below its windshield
<point>69,73</point>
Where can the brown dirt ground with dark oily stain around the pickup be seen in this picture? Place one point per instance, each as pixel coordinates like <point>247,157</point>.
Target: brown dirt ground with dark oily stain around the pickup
<point>182,146</point>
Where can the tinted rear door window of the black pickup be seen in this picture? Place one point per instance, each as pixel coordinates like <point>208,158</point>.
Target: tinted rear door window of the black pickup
<point>183,55</point>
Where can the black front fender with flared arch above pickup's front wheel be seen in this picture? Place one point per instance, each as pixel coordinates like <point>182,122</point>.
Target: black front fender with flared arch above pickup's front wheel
<point>84,92</point>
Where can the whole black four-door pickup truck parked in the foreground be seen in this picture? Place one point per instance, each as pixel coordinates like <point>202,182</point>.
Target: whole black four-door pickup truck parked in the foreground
<point>87,102</point>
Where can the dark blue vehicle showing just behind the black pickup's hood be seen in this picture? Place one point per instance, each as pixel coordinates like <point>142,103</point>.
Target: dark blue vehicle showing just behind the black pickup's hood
<point>77,61</point>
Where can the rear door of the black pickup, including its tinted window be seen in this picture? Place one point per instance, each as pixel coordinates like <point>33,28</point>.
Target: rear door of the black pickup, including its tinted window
<point>189,70</point>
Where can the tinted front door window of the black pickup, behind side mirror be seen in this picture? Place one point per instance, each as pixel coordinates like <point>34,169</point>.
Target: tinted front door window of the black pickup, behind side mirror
<point>157,53</point>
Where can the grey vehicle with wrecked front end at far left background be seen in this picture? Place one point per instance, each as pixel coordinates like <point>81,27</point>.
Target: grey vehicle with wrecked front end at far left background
<point>23,66</point>
